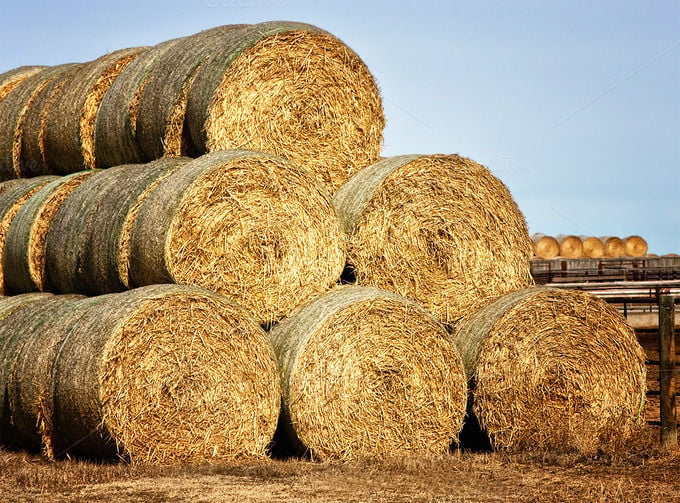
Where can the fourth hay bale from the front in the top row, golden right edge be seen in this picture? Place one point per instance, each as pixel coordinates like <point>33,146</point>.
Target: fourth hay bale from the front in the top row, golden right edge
<point>69,123</point>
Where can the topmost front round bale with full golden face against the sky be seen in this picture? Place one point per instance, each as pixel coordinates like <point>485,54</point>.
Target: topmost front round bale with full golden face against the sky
<point>293,90</point>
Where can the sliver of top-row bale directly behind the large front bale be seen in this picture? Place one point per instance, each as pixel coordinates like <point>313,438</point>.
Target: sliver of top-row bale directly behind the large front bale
<point>163,100</point>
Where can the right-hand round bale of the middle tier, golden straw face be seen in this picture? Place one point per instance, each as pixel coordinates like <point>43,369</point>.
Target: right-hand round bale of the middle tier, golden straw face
<point>440,229</point>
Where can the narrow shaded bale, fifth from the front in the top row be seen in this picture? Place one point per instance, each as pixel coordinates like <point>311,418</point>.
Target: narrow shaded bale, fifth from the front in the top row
<point>32,159</point>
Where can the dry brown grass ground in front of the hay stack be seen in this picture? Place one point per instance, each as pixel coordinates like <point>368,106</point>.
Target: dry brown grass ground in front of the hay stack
<point>642,474</point>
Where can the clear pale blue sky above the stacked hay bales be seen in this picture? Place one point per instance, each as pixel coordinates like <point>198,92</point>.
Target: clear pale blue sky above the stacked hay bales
<point>575,105</point>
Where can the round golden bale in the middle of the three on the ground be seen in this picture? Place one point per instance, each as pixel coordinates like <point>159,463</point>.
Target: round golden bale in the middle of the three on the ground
<point>368,374</point>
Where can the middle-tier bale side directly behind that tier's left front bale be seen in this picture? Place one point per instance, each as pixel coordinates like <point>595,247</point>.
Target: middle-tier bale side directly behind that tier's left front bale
<point>86,247</point>
